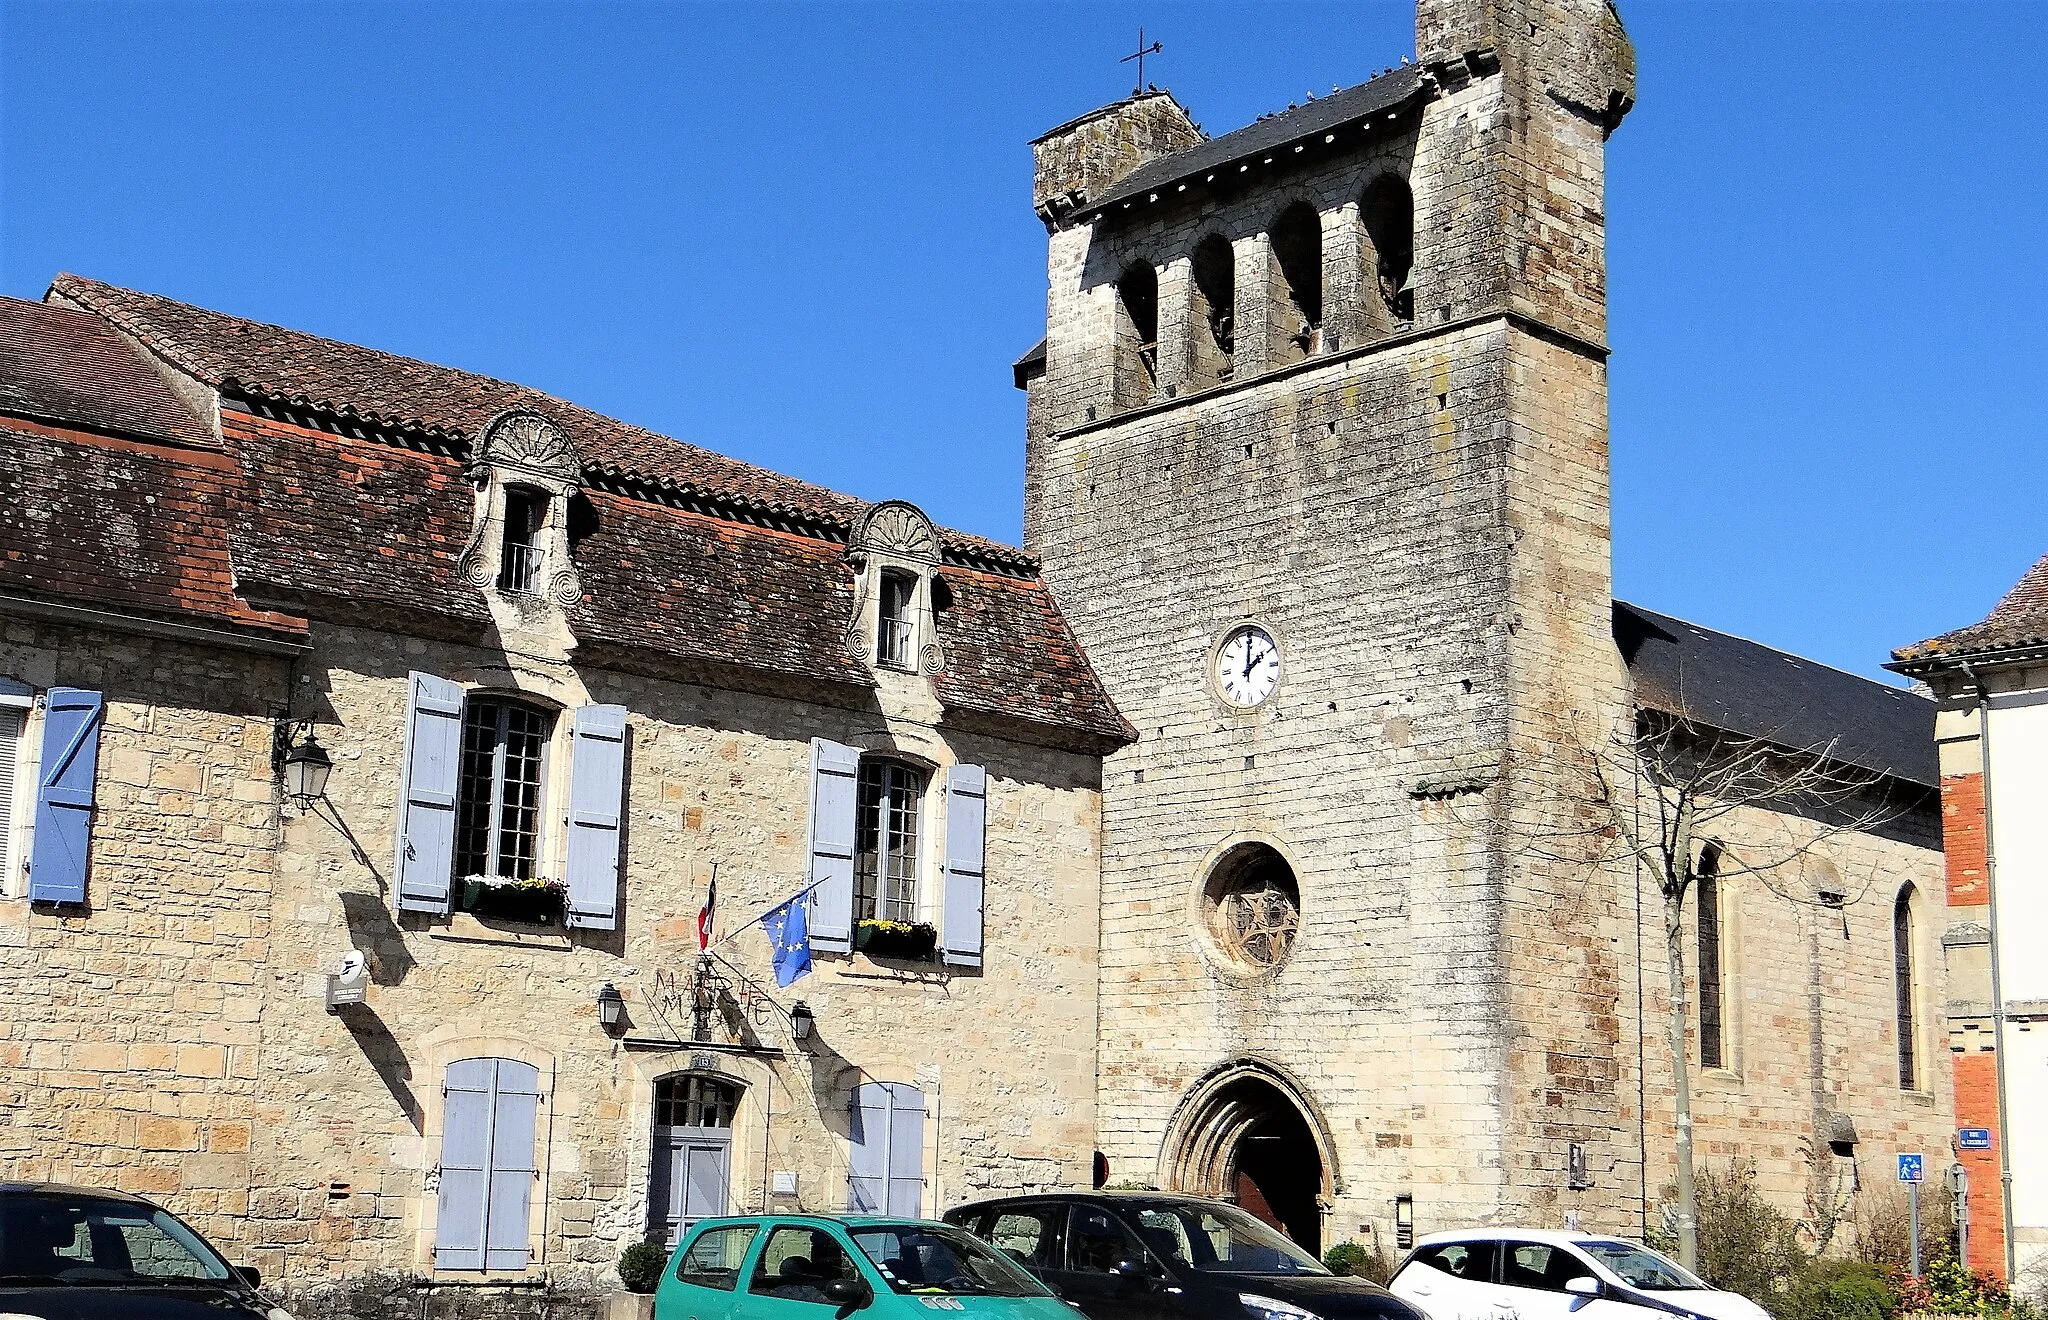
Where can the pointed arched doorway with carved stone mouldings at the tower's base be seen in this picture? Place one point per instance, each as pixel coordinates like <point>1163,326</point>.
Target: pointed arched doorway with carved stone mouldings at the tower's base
<point>1248,1135</point>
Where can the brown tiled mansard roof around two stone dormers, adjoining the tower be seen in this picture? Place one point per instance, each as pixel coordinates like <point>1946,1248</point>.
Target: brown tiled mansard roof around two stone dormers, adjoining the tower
<point>351,502</point>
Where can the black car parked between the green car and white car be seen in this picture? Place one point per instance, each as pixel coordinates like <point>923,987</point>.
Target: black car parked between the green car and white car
<point>1168,1258</point>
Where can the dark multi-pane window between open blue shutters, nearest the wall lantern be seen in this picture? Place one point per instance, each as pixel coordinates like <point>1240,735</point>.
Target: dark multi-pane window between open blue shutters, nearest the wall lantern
<point>499,807</point>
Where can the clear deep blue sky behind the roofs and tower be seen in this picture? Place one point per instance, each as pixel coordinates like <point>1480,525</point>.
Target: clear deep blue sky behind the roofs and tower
<point>804,236</point>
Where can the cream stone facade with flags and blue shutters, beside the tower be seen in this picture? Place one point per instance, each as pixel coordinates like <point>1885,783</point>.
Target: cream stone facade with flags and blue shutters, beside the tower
<point>718,783</point>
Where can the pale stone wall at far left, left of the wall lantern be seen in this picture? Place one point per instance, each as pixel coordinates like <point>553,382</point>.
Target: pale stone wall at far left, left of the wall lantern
<point>130,1047</point>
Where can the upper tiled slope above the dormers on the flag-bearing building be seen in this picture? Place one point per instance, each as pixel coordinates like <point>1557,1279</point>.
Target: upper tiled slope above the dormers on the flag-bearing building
<point>292,367</point>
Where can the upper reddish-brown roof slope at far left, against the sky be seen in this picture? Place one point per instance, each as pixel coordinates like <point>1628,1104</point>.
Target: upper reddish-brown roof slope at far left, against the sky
<point>69,367</point>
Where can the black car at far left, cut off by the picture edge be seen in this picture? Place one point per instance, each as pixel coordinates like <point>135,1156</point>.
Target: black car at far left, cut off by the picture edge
<point>79,1253</point>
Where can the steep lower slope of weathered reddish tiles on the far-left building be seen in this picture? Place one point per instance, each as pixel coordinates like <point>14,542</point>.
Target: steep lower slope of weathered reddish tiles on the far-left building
<point>120,525</point>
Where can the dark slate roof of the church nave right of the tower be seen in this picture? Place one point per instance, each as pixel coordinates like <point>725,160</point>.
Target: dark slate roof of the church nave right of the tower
<point>1762,693</point>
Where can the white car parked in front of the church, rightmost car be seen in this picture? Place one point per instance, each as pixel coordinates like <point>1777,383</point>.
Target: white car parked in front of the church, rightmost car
<point>1533,1274</point>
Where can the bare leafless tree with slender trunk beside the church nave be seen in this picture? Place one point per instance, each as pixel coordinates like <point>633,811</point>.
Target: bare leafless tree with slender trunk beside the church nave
<point>1656,791</point>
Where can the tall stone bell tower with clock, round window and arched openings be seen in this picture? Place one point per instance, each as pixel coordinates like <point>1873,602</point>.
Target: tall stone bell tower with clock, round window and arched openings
<point>1318,466</point>
